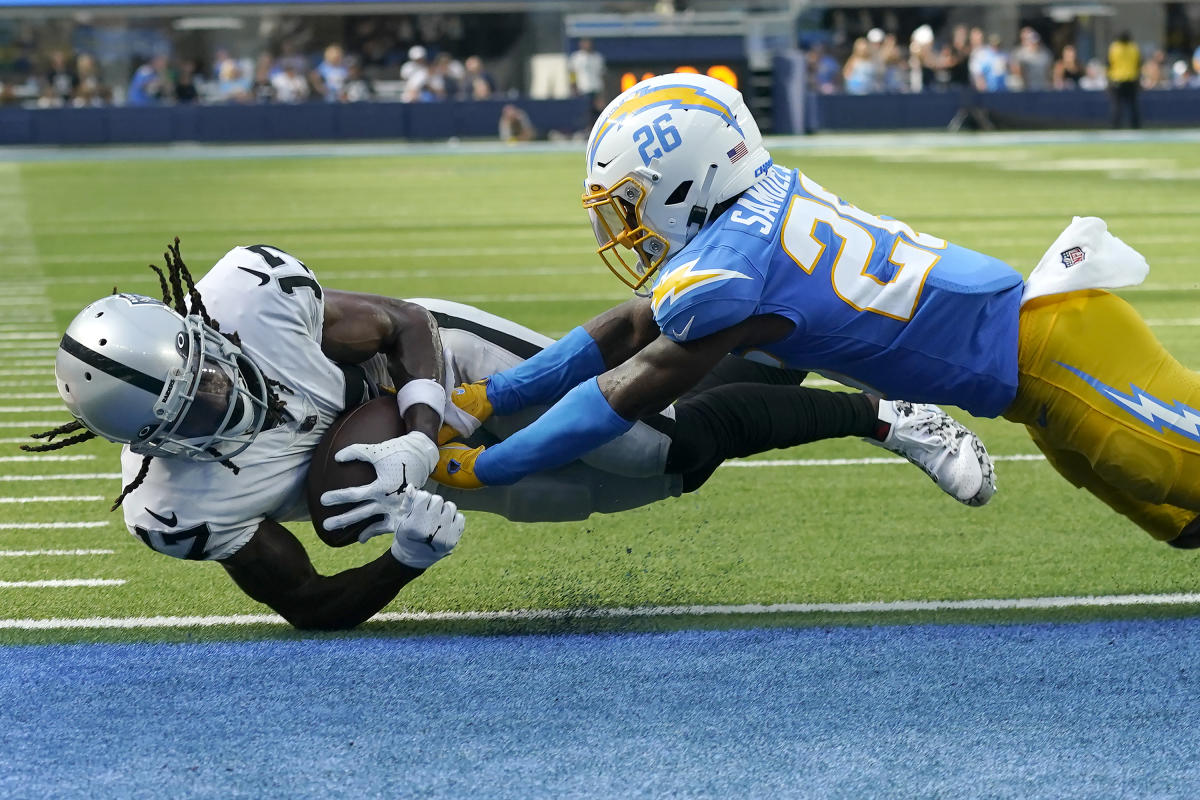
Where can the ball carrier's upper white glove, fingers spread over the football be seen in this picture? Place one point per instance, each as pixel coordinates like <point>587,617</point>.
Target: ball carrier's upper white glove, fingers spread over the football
<point>400,462</point>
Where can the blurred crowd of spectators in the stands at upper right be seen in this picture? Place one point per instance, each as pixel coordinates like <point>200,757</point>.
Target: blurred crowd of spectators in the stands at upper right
<point>880,62</point>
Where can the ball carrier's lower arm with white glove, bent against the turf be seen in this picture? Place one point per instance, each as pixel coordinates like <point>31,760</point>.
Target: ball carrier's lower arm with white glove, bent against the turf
<point>274,569</point>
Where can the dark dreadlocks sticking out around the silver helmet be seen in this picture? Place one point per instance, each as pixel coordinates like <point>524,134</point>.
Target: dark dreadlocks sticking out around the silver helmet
<point>175,297</point>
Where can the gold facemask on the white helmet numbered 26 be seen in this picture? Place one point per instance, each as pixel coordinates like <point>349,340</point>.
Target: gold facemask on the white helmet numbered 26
<point>616,218</point>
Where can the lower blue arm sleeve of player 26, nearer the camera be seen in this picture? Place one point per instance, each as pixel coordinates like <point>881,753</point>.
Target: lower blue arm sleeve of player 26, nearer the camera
<point>578,424</point>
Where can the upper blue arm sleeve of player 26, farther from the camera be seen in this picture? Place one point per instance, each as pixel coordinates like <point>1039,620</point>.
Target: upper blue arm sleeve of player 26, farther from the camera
<point>548,376</point>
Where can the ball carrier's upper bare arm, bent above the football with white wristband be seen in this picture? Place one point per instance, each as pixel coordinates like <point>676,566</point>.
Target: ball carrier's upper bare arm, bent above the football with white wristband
<point>361,326</point>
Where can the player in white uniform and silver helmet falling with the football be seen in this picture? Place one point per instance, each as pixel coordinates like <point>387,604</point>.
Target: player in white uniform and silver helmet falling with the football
<point>235,380</point>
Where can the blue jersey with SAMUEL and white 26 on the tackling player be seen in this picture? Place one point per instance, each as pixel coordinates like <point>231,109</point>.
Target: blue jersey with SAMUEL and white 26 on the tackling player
<point>908,315</point>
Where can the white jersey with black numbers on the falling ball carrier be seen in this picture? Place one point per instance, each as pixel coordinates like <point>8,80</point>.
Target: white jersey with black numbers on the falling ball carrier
<point>200,510</point>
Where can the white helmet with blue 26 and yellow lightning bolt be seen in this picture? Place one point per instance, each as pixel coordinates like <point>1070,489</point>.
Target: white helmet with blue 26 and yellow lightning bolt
<point>662,155</point>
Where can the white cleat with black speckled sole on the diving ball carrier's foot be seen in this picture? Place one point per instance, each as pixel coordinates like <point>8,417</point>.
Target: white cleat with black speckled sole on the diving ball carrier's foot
<point>945,449</point>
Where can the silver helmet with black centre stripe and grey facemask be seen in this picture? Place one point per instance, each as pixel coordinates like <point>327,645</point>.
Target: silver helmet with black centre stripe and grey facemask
<point>136,372</point>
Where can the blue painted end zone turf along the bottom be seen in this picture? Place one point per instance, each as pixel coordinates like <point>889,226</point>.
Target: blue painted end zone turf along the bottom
<point>1103,709</point>
